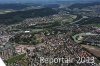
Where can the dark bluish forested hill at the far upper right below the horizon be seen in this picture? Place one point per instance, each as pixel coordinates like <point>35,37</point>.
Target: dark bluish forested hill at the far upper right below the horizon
<point>83,5</point>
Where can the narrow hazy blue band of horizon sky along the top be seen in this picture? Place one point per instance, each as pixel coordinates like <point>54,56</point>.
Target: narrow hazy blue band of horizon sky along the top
<point>45,1</point>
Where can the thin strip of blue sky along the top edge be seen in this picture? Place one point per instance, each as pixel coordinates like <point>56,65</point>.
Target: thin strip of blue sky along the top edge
<point>21,1</point>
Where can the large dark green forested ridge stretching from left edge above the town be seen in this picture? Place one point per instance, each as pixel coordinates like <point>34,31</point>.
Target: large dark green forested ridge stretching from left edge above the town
<point>15,17</point>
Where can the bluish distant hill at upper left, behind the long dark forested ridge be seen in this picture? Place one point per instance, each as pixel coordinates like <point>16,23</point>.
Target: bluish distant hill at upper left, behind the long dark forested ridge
<point>16,6</point>
